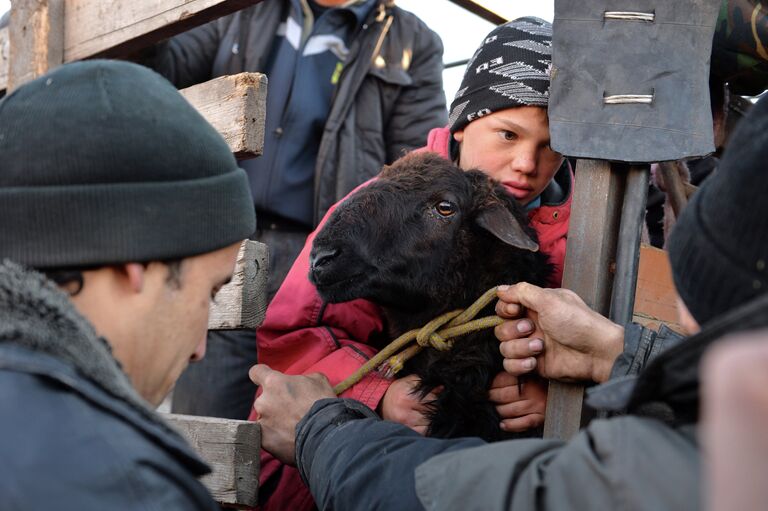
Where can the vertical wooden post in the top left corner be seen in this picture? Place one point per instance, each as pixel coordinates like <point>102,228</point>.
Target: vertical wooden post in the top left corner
<point>36,32</point>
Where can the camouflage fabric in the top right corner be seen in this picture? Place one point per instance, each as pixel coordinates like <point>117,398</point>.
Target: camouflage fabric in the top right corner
<point>740,47</point>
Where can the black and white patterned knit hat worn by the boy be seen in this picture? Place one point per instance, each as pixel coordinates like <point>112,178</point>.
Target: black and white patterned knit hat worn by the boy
<point>510,68</point>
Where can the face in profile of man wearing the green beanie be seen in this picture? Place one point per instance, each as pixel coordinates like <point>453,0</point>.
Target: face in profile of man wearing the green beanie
<point>175,320</point>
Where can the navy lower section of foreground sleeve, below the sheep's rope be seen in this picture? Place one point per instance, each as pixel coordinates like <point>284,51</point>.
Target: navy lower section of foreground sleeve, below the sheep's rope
<point>350,459</point>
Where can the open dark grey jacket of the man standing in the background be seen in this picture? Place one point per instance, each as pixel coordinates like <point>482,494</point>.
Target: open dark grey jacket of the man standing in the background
<point>388,97</point>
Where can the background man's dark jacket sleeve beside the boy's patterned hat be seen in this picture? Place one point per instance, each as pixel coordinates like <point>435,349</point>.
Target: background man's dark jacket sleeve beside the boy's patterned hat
<point>420,106</point>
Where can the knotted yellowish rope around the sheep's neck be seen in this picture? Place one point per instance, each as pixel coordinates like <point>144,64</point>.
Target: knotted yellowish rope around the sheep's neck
<point>456,323</point>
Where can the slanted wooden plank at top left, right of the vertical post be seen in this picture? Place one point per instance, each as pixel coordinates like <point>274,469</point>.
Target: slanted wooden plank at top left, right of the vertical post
<point>115,28</point>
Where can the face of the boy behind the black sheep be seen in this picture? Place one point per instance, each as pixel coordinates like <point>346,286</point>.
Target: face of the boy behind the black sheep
<point>511,146</point>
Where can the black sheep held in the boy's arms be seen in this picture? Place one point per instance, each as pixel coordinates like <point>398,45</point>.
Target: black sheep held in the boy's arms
<point>424,239</point>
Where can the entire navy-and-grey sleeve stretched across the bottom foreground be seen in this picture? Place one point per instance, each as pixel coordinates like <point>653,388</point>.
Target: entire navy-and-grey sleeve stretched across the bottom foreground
<point>351,460</point>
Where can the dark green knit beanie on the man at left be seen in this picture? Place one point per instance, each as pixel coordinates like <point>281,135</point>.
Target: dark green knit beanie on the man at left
<point>105,162</point>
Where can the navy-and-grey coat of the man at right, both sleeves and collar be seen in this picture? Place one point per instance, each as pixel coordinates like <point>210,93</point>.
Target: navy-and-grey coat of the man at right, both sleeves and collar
<point>648,459</point>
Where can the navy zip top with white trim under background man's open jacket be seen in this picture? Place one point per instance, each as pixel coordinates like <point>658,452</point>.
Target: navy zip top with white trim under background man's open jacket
<point>310,48</point>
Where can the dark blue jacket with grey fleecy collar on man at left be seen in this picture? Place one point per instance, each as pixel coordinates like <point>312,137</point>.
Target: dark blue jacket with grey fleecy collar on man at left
<point>74,434</point>
